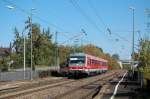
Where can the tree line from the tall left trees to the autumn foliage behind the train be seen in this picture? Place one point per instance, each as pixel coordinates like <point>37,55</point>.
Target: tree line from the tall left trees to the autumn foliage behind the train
<point>44,50</point>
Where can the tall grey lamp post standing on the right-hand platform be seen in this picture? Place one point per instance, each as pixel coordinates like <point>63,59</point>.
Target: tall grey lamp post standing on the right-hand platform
<point>132,9</point>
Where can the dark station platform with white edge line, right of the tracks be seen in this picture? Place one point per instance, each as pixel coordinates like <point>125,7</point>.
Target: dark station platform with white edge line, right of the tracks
<point>123,87</point>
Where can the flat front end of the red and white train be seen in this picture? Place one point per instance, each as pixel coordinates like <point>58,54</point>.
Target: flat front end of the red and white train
<point>77,64</point>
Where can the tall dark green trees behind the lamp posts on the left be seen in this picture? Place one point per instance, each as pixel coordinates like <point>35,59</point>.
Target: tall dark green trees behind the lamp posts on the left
<point>43,48</point>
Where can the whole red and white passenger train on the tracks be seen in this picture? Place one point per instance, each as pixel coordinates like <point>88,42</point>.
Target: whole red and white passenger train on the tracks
<point>86,64</point>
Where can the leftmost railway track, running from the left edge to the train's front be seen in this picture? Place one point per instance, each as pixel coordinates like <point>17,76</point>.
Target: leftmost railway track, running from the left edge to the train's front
<point>12,89</point>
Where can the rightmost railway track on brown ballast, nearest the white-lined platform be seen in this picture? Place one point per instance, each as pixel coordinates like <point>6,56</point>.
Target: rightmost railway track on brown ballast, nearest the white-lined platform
<point>87,91</point>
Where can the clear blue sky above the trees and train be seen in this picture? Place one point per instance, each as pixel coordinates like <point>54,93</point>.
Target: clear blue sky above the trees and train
<point>70,17</point>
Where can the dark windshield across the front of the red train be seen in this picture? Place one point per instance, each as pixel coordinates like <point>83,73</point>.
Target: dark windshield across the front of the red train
<point>77,61</point>
